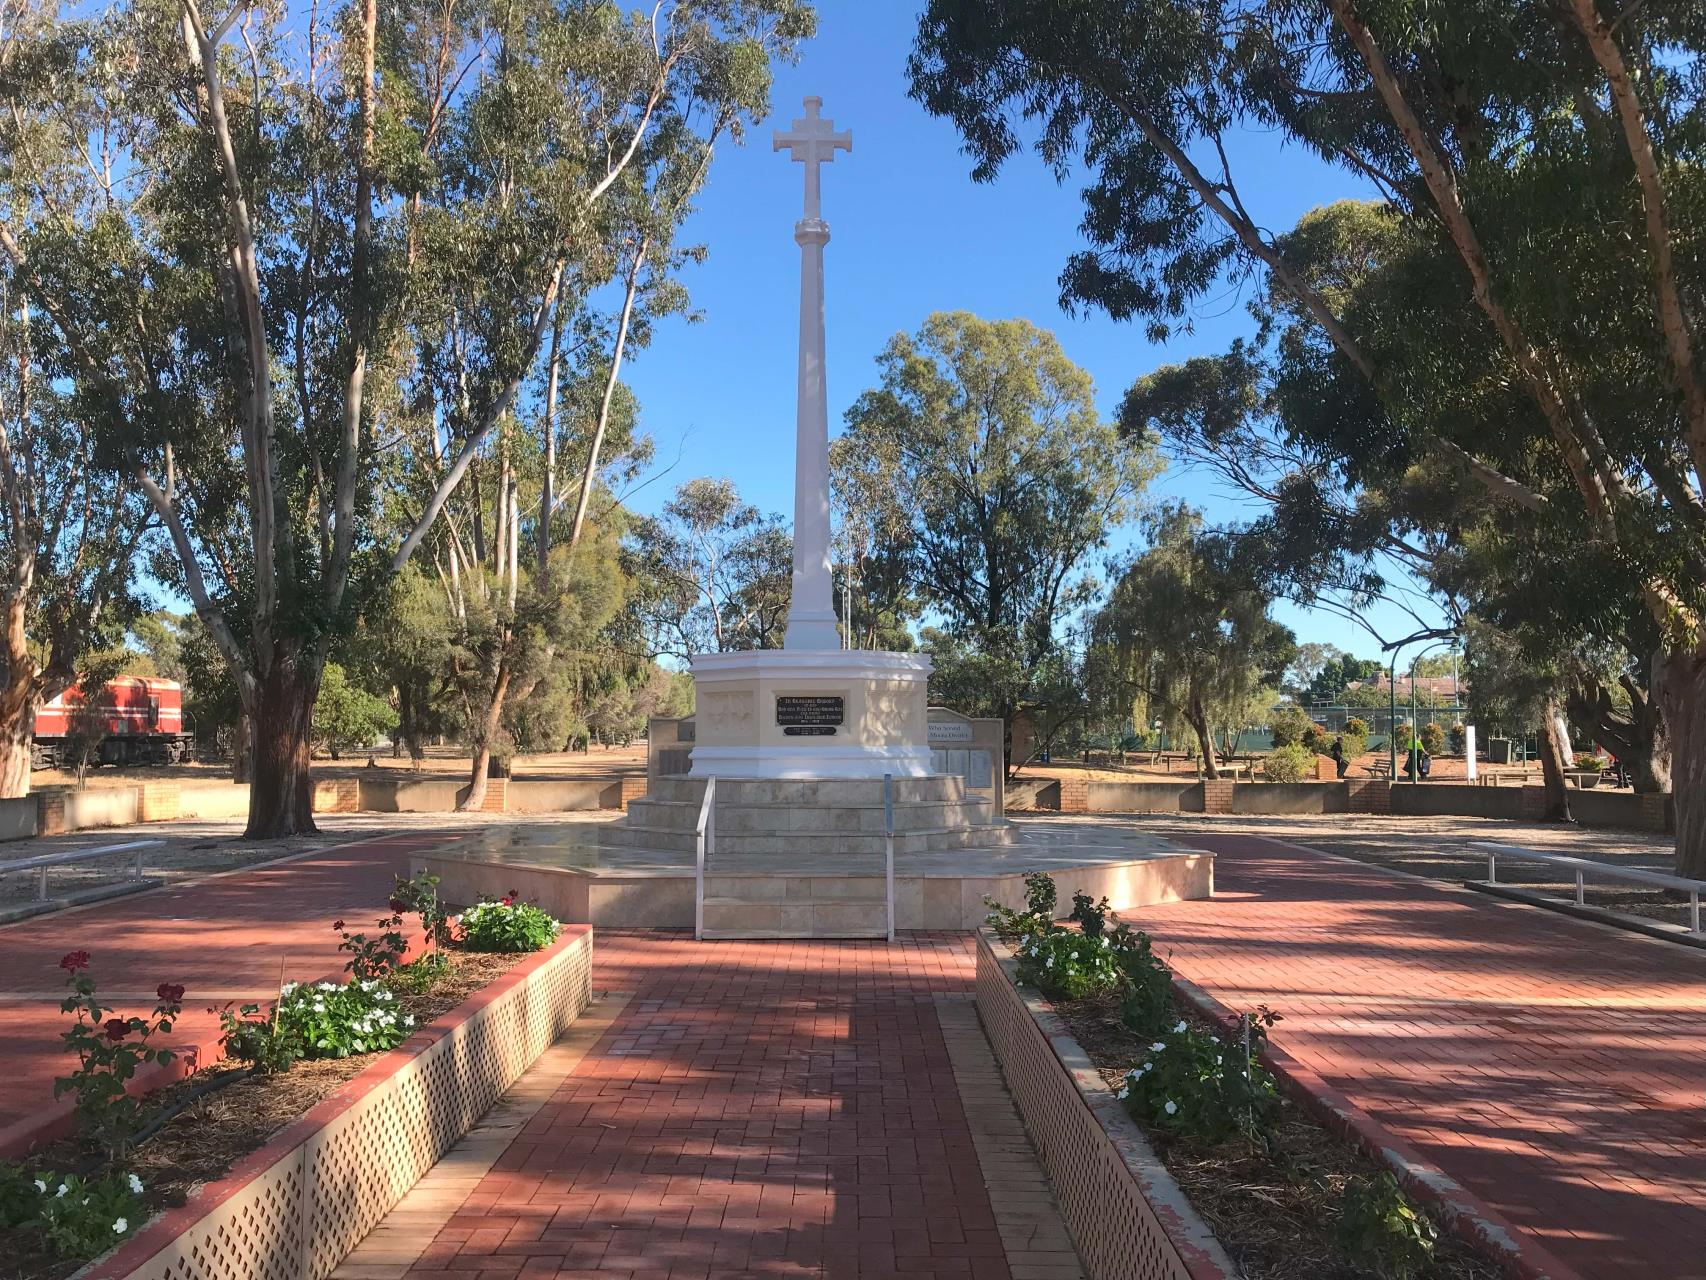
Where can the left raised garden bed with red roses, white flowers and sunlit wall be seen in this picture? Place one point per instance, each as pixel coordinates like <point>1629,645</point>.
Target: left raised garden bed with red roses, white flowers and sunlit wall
<point>351,1093</point>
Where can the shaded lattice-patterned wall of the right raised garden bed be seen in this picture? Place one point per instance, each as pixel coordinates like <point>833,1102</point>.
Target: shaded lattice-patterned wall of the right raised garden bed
<point>1125,1213</point>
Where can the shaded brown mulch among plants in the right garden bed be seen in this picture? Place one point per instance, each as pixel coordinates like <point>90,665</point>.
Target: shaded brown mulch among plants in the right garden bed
<point>1275,1211</point>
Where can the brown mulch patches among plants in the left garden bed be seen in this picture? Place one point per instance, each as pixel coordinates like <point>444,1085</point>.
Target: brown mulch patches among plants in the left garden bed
<point>214,1132</point>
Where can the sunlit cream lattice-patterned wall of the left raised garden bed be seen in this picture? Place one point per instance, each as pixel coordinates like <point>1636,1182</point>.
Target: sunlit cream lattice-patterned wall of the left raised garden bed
<point>294,1209</point>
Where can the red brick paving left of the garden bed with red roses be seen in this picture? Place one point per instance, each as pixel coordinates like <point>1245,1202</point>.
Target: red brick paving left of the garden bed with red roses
<point>223,938</point>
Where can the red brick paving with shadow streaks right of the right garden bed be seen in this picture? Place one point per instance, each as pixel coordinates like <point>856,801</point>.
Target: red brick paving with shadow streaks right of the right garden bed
<point>1557,1069</point>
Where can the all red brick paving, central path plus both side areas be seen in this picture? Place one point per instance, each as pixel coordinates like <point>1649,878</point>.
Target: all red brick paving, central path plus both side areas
<point>818,1108</point>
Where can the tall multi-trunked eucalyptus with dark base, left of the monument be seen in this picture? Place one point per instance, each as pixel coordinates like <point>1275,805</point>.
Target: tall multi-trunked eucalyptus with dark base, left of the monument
<point>298,202</point>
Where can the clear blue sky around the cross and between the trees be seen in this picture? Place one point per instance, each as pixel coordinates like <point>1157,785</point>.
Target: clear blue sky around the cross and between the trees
<point>912,235</point>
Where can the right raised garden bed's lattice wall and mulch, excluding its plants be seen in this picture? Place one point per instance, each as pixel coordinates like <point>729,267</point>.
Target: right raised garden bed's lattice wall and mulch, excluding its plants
<point>1270,1209</point>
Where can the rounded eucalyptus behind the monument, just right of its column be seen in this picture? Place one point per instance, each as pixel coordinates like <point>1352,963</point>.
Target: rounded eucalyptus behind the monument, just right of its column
<point>1001,482</point>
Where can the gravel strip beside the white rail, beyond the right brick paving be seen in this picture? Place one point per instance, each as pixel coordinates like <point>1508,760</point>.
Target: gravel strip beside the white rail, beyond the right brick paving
<point>1441,849</point>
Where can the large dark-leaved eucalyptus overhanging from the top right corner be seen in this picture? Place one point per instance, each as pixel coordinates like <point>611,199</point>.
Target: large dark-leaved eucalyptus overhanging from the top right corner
<point>1541,160</point>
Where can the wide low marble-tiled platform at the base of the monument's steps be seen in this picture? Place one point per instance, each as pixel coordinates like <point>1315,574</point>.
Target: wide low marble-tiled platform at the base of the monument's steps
<point>577,875</point>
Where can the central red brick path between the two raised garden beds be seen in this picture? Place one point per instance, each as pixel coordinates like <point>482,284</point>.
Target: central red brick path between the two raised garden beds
<point>757,1110</point>
